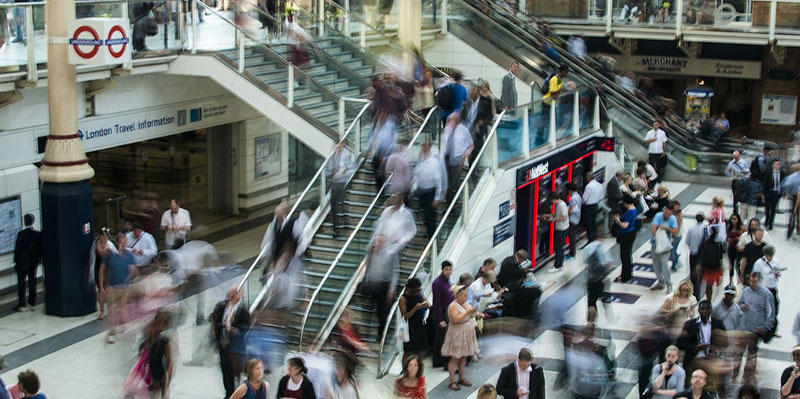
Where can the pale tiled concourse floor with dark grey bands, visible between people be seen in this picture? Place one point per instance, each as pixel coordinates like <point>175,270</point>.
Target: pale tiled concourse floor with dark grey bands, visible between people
<point>72,359</point>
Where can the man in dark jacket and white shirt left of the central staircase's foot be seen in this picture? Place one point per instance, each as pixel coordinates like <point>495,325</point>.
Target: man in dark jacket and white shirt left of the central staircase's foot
<point>229,323</point>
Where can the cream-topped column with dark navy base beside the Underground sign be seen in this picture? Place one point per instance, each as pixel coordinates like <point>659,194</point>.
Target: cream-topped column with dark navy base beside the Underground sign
<point>65,173</point>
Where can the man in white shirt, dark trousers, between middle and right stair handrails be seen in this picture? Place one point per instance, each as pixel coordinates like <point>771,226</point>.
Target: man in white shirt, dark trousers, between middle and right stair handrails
<point>428,178</point>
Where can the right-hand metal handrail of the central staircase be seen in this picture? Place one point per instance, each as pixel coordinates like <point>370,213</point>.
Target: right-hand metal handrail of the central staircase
<point>431,242</point>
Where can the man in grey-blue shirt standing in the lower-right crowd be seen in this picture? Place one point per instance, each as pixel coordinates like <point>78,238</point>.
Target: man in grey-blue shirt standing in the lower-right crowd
<point>756,303</point>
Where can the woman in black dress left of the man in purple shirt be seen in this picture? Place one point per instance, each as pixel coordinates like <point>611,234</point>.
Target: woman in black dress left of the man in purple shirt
<point>413,307</point>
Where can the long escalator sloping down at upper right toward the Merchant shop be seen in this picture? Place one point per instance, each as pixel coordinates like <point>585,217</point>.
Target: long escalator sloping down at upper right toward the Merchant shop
<point>516,36</point>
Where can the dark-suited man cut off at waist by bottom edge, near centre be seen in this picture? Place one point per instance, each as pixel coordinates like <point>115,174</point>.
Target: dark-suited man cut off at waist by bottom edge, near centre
<point>532,387</point>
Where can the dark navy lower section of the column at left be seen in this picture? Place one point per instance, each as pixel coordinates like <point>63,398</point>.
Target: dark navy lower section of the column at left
<point>67,234</point>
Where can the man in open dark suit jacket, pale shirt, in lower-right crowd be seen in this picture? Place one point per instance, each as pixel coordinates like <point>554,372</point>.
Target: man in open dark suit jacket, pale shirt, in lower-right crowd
<point>698,334</point>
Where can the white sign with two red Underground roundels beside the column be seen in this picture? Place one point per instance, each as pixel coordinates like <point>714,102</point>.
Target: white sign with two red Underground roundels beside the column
<point>99,41</point>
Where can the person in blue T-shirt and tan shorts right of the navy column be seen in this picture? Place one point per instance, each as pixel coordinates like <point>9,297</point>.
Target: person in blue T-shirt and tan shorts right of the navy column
<point>117,270</point>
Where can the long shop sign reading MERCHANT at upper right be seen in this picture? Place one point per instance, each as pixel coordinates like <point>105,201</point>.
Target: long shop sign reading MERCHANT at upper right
<point>689,66</point>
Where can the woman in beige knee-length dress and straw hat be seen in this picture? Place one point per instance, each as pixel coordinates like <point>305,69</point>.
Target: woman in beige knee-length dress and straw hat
<point>460,341</point>
